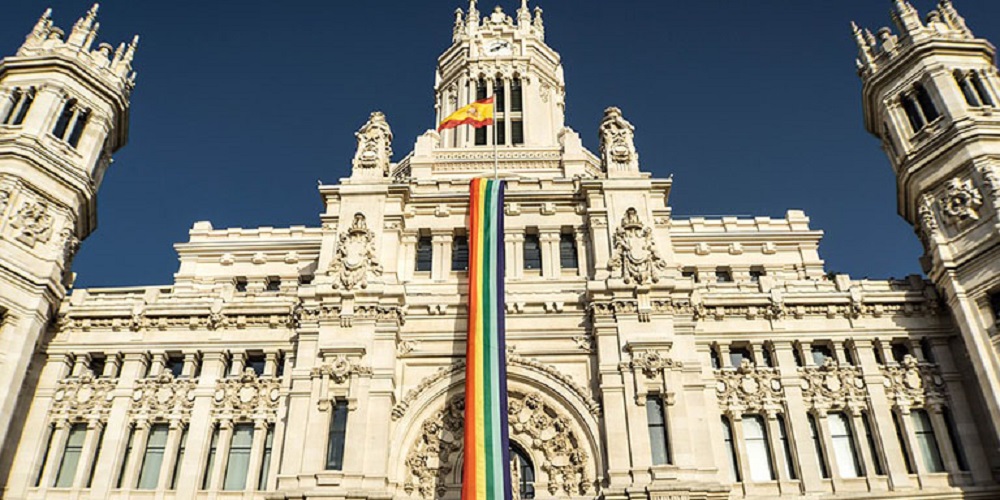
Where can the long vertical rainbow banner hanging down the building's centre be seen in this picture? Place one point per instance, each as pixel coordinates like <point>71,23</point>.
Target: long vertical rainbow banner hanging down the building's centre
<point>486,471</point>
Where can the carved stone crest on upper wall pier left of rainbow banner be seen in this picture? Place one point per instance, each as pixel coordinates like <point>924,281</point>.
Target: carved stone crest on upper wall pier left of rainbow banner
<point>356,258</point>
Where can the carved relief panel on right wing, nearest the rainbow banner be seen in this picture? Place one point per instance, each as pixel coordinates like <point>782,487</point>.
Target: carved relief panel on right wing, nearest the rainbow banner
<point>749,388</point>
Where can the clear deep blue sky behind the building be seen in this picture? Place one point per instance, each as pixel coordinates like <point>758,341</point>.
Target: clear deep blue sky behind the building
<point>241,106</point>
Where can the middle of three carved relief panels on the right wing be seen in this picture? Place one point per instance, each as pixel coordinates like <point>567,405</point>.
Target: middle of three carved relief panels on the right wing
<point>832,386</point>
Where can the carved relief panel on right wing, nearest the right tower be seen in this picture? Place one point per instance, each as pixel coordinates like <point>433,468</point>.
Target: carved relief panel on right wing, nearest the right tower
<point>914,384</point>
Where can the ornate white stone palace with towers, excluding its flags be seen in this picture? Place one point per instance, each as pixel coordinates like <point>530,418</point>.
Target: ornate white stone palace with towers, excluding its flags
<point>648,356</point>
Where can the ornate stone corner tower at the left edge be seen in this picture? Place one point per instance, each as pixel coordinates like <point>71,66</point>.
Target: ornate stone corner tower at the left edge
<point>64,108</point>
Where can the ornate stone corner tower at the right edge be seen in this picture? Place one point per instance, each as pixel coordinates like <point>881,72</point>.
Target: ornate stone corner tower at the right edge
<point>930,94</point>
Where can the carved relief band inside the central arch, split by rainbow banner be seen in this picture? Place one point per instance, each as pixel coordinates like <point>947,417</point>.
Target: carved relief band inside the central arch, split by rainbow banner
<point>541,428</point>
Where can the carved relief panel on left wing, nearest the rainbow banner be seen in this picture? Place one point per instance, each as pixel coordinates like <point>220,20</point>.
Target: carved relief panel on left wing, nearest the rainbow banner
<point>247,397</point>
